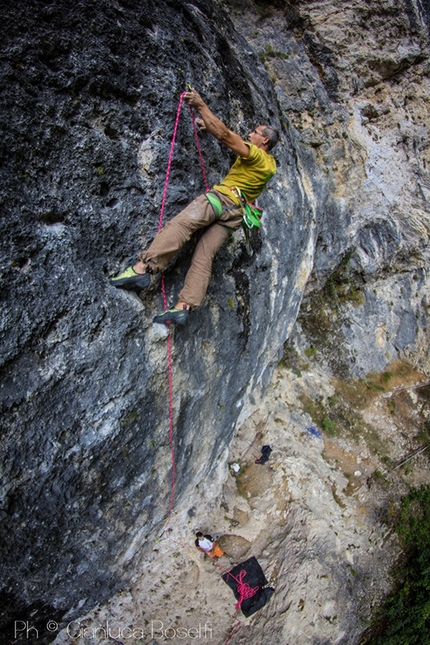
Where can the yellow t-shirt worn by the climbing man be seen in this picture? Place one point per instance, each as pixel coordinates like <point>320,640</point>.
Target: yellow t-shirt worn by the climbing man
<point>249,174</point>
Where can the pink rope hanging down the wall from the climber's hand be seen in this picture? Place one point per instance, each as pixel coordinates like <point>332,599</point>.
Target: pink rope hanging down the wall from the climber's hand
<point>163,288</point>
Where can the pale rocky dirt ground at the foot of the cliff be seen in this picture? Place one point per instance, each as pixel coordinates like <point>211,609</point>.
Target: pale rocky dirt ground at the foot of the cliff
<point>315,516</point>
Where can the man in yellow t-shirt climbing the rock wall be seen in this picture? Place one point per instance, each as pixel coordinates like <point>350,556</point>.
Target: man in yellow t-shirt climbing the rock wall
<point>219,212</point>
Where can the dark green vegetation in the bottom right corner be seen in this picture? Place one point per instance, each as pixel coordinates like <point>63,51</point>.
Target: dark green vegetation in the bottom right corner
<point>405,617</point>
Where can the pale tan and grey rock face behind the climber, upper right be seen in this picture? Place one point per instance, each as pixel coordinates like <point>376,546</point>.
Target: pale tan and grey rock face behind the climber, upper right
<point>354,81</point>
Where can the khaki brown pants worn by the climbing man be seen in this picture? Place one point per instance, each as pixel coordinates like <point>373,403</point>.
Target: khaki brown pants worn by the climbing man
<point>171,238</point>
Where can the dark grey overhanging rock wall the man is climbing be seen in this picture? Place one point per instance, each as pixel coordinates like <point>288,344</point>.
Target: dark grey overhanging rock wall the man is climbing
<point>89,95</point>
